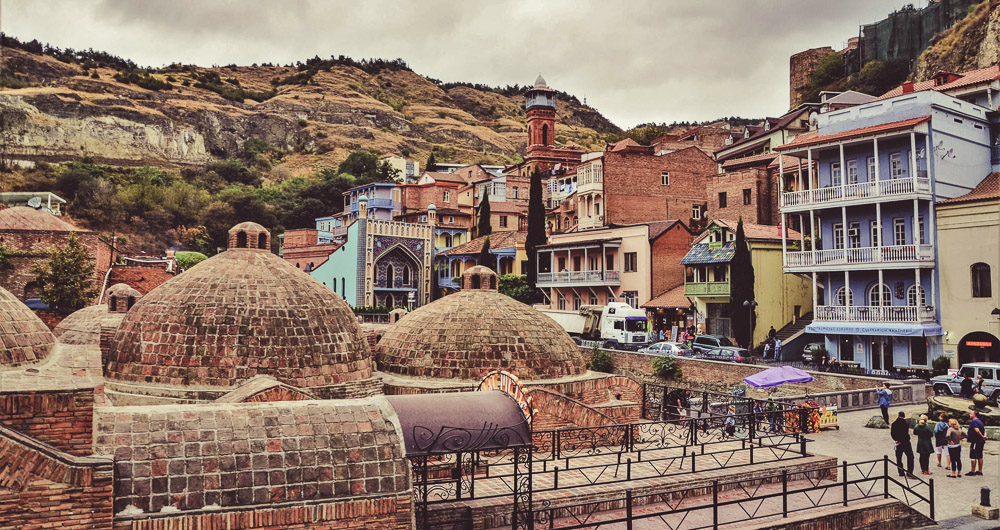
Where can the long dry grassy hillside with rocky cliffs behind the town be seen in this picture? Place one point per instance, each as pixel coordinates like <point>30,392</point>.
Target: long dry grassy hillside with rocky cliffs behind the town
<point>66,111</point>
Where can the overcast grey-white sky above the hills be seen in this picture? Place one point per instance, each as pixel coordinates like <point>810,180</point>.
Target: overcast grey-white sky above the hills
<point>635,61</point>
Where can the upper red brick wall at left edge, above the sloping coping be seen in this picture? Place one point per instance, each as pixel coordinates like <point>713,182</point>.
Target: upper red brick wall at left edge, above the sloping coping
<point>62,419</point>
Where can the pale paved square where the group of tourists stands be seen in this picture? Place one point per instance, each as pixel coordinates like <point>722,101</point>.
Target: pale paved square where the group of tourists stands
<point>953,497</point>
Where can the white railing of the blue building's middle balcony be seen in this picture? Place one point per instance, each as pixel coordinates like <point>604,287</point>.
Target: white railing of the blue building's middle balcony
<point>849,258</point>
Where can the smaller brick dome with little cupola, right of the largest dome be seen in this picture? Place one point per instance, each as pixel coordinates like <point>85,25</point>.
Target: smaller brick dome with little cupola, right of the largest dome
<point>472,332</point>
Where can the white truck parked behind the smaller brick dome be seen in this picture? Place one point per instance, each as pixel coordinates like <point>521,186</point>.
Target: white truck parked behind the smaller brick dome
<point>616,325</point>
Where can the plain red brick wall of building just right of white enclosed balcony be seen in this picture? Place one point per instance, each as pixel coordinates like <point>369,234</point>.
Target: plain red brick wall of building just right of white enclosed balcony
<point>634,192</point>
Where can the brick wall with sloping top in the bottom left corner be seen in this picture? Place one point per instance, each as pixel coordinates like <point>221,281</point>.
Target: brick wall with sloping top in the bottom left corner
<point>43,488</point>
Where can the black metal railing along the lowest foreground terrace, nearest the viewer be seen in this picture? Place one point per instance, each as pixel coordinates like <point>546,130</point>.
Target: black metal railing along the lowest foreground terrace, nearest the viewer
<point>771,495</point>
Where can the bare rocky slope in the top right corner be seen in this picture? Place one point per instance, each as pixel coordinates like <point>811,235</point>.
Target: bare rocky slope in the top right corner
<point>970,44</point>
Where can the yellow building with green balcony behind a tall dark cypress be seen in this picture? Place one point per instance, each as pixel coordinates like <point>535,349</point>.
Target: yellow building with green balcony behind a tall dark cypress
<point>781,298</point>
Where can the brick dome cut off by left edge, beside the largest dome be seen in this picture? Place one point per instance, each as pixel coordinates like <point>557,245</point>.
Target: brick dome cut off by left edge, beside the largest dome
<point>24,338</point>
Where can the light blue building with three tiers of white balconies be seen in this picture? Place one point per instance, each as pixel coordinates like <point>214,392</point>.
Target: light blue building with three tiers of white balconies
<point>865,199</point>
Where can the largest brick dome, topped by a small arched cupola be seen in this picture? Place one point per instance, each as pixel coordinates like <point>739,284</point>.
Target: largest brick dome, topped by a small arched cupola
<point>238,314</point>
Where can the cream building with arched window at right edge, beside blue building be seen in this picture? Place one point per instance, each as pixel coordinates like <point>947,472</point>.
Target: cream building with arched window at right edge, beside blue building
<point>968,254</point>
